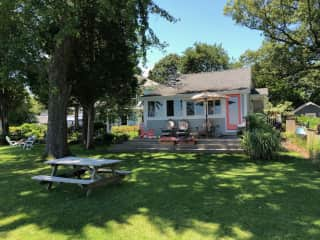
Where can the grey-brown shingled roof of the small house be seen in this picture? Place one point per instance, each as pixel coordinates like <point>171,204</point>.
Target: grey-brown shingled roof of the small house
<point>234,79</point>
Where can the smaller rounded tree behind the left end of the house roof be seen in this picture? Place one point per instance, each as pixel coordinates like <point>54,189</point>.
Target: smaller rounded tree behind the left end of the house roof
<point>166,69</point>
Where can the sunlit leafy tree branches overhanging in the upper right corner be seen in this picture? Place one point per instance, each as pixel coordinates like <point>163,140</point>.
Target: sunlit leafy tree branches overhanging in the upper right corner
<point>293,23</point>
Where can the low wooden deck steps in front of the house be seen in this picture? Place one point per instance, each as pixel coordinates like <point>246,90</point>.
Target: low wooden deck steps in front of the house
<point>228,145</point>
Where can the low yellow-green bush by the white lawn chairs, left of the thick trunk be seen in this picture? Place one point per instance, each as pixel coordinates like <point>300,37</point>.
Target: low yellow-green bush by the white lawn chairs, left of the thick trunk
<point>28,129</point>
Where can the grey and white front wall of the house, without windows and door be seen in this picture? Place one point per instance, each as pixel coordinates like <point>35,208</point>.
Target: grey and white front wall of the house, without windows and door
<point>196,122</point>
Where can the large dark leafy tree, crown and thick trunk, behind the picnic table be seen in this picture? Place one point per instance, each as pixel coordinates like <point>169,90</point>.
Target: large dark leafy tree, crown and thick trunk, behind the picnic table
<point>80,39</point>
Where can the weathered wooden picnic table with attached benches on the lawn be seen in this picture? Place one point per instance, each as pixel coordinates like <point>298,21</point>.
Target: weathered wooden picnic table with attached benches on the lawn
<point>101,172</point>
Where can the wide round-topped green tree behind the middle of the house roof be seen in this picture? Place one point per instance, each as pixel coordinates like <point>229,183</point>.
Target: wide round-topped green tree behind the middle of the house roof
<point>204,58</point>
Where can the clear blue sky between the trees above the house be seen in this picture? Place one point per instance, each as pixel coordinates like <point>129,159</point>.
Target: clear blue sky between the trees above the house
<point>200,21</point>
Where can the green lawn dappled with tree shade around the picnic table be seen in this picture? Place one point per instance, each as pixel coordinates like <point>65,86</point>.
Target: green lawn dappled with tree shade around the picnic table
<point>168,196</point>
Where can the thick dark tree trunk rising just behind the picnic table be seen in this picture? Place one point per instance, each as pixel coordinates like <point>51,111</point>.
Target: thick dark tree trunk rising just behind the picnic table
<point>59,94</point>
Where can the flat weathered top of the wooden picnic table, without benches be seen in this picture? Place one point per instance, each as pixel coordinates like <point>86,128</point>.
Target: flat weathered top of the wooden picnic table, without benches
<point>78,161</point>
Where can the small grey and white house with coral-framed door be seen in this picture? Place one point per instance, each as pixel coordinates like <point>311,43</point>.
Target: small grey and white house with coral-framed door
<point>162,103</point>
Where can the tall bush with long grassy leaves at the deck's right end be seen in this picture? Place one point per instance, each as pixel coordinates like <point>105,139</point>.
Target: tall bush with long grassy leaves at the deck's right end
<point>260,141</point>
